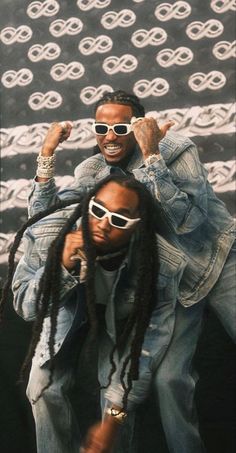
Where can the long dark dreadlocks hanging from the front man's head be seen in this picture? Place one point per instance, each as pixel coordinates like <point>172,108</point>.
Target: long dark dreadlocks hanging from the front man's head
<point>47,300</point>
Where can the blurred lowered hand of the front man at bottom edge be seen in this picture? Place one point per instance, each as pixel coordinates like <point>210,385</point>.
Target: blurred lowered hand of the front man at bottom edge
<point>101,437</point>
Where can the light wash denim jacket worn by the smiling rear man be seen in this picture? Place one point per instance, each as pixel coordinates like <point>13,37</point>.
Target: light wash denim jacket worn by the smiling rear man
<point>199,222</point>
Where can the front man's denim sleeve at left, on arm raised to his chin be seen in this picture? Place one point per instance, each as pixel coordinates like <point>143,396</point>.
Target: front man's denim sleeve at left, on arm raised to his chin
<point>26,281</point>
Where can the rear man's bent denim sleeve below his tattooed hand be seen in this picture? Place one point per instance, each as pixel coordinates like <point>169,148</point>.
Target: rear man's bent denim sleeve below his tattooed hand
<point>181,189</point>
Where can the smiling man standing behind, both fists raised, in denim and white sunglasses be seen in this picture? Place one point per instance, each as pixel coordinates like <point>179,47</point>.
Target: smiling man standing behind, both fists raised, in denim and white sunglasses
<point>199,223</point>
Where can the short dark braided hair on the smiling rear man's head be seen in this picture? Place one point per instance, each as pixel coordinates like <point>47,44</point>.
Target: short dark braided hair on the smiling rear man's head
<point>123,98</point>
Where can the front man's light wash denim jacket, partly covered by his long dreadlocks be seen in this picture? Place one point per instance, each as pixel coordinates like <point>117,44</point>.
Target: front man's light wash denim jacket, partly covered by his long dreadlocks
<point>37,240</point>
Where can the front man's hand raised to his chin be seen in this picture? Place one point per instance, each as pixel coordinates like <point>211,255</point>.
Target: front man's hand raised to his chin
<point>73,248</point>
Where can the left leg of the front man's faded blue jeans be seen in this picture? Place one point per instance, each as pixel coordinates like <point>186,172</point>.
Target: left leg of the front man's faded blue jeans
<point>56,424</point>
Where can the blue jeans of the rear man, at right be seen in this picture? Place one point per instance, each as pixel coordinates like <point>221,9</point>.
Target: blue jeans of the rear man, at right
<point>175,379</point>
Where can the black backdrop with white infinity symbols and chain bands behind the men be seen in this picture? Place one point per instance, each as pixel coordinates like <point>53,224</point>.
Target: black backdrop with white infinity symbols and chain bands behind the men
<point>58,57</point>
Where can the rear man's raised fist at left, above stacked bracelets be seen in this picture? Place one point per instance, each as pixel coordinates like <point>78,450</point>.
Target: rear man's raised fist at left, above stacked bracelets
<point>57,133</point>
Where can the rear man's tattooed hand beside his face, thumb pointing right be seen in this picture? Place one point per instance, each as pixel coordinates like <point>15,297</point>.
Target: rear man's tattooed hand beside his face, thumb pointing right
<point>148,134</point>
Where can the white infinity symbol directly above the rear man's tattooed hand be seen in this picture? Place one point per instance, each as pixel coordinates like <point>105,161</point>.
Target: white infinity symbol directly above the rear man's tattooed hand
<point>156,87</point>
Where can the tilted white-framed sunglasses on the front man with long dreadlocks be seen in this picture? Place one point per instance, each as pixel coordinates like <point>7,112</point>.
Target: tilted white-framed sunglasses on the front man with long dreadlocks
<point>116,220</point>
